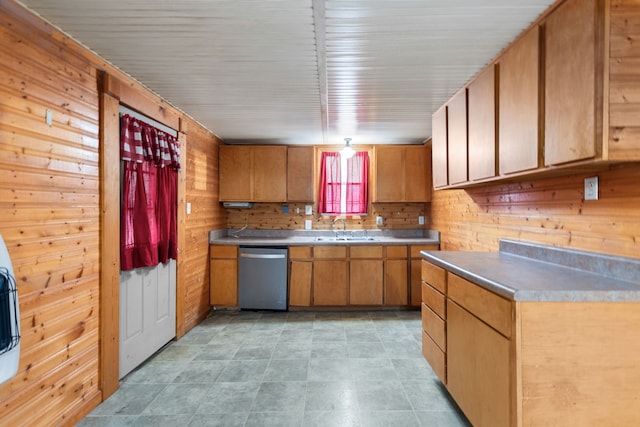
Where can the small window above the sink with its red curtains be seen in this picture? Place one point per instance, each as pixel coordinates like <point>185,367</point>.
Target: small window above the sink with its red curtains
<point>344,184</point>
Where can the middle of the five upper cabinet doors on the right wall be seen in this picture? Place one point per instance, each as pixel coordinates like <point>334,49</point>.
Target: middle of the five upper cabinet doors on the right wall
<point>482,125</point>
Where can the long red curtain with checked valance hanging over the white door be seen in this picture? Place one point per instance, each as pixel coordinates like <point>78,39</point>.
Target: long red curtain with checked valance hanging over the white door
<point>148,231</point>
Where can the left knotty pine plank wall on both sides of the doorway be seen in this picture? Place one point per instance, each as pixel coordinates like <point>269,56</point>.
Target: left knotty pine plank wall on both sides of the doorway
<point>50,211</point>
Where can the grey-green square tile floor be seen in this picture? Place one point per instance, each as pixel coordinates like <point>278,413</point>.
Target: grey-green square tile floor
<point>286,369</point>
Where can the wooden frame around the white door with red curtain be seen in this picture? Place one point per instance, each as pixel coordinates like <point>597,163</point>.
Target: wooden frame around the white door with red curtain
<point>112,93</point>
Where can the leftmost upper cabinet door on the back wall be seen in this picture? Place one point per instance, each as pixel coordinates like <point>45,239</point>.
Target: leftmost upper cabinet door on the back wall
<point>234,165</point>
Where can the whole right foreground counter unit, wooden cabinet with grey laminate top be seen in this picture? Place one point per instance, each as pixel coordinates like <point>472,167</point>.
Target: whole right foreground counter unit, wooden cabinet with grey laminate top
<point>534,335</point>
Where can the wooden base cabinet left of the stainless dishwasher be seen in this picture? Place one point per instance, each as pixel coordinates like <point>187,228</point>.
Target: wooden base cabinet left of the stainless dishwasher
<point>223,276</point>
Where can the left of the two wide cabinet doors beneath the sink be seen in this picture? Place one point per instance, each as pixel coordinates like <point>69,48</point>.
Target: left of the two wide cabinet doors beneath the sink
<point>330,282</point>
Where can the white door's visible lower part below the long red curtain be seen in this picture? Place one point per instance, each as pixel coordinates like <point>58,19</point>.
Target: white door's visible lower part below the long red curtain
<point>147,313</point>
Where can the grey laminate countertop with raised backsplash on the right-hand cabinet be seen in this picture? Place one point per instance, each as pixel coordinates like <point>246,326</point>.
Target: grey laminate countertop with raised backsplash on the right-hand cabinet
<point>523,271</point>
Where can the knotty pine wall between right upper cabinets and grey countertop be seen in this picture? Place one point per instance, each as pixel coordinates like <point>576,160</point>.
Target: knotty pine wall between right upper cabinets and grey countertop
<point>548,211</point>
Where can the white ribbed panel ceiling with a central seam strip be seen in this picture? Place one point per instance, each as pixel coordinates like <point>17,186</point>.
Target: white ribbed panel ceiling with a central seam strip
<point>299,71</point>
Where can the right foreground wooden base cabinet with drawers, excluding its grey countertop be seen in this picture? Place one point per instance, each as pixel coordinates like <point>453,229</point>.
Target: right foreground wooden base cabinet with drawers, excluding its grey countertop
<point>529,363</point>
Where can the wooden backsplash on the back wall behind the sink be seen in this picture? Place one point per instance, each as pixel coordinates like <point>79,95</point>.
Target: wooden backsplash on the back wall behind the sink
<point>271,216</point>
